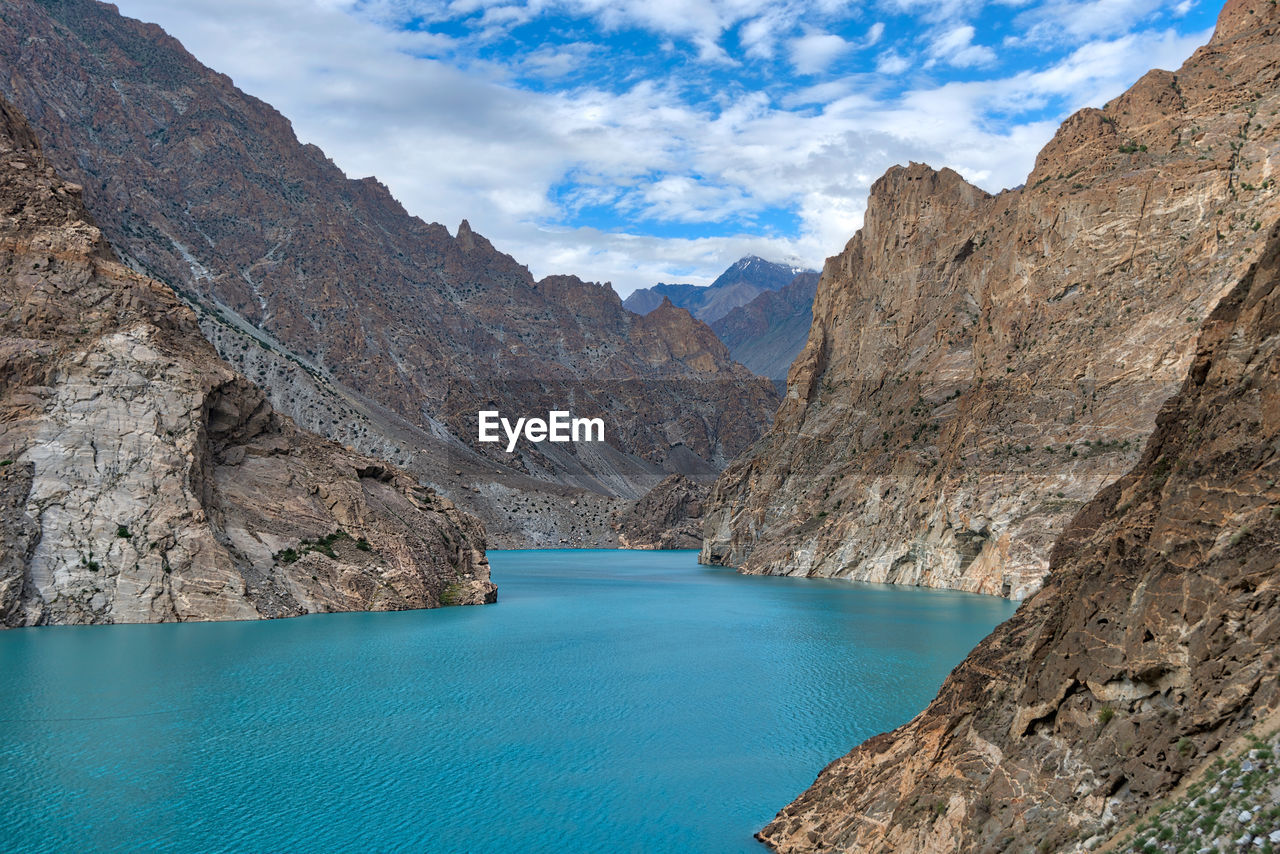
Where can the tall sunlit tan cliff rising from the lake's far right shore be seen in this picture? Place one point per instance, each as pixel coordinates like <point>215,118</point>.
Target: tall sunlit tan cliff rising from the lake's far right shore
<point>980,367</point>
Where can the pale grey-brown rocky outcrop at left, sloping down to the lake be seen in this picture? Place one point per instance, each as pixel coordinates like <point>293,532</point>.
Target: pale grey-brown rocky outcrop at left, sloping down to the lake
<point>144,481</point>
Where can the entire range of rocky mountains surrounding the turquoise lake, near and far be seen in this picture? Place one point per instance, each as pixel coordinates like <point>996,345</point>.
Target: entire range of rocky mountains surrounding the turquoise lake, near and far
<point>239,385</point>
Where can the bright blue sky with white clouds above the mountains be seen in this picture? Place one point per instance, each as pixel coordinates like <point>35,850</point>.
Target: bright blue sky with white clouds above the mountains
<point>642,141</point>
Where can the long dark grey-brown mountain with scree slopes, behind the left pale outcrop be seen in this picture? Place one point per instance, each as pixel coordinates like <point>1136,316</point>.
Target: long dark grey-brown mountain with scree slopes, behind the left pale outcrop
<point>367,325</point>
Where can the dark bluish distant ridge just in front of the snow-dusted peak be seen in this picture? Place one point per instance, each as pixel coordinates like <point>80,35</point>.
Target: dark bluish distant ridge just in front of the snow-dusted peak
<point>769,334</point>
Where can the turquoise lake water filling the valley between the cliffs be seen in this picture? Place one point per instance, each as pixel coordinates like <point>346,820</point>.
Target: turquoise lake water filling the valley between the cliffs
<point>610,702</point>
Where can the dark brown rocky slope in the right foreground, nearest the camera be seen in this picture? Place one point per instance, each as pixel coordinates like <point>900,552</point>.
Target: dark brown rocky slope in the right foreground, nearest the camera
<point>1154,641</point>
